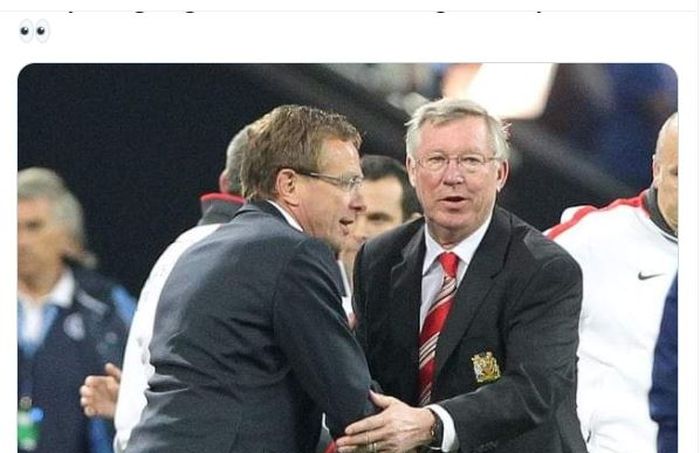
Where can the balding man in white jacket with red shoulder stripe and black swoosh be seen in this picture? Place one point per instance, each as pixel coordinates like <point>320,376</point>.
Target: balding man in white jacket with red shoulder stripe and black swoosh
<point>628,252</point>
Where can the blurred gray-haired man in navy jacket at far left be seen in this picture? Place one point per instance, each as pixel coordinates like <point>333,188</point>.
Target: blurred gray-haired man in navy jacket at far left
<point>71,320</point>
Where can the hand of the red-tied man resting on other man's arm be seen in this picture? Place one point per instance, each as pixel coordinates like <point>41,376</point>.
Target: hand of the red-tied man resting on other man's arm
<point>398,428</point>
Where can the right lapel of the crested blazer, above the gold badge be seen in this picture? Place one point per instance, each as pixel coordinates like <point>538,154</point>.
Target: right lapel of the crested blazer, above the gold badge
<point>487,262</point>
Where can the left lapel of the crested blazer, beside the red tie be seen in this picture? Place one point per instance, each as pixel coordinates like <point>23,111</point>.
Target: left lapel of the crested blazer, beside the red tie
<point>404,304</point>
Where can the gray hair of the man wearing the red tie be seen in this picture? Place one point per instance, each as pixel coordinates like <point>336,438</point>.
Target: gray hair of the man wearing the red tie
<point>445,110</point>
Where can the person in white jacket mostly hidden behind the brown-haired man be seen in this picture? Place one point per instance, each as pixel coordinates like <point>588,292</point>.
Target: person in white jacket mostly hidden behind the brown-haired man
<point>121,395</point>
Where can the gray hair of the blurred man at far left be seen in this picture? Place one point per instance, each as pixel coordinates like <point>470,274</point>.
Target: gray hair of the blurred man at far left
<point>37,182</point>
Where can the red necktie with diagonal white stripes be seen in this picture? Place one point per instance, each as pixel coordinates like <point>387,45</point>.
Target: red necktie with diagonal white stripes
<point>437,314</point>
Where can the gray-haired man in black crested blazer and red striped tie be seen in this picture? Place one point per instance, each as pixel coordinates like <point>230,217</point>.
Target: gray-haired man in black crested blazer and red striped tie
<point>469,316</point>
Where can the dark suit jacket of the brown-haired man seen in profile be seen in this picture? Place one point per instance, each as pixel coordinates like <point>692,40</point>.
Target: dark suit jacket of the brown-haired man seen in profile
<point>251,345</point>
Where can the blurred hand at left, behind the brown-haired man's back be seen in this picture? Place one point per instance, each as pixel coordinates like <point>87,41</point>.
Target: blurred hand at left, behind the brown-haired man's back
<point>98,394</point>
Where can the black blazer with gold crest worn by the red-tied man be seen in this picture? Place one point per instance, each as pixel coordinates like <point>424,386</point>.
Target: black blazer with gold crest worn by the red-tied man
<point>519,299</point>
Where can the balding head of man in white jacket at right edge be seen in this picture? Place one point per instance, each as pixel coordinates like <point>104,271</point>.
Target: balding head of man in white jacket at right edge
<point>665,168</point>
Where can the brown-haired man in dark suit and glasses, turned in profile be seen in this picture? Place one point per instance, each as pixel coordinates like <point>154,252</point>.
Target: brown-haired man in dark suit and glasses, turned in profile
<point>250,342</point>
